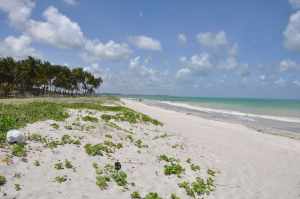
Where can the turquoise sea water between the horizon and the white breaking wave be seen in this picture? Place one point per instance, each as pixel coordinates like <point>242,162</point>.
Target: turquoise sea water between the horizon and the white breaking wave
<point>273,107</point>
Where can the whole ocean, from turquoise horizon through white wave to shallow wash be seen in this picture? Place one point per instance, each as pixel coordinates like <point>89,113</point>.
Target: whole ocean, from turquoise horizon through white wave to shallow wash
<point>277,116</point>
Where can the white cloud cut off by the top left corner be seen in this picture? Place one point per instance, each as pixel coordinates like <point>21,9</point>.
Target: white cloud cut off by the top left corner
<point>19,11</point>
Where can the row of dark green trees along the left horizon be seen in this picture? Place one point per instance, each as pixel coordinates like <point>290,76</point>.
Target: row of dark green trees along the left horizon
<point>34,77</point>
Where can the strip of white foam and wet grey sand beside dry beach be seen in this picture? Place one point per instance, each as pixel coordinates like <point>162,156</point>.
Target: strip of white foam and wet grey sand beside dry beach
<point>261,124</point>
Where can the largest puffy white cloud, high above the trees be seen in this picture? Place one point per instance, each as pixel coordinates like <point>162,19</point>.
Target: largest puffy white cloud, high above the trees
<point>58,30</point>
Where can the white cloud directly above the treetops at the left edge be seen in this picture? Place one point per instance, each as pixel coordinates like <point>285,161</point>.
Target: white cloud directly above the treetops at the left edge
<point>17,47</point>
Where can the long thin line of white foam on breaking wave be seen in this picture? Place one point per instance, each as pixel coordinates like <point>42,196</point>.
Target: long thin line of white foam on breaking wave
<point>235,113</point>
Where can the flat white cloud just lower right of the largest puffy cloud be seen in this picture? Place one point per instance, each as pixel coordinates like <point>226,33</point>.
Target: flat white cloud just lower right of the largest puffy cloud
<point>96,50</point>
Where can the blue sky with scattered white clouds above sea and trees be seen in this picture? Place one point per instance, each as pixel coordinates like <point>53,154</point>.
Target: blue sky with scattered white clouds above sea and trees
<point>232,48</point>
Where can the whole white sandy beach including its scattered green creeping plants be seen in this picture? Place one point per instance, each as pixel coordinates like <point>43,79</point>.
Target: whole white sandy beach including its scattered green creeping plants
<point>187,157</point>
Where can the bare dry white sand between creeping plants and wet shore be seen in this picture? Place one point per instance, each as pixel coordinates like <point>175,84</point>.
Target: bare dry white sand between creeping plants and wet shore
<point>251,164</point>
